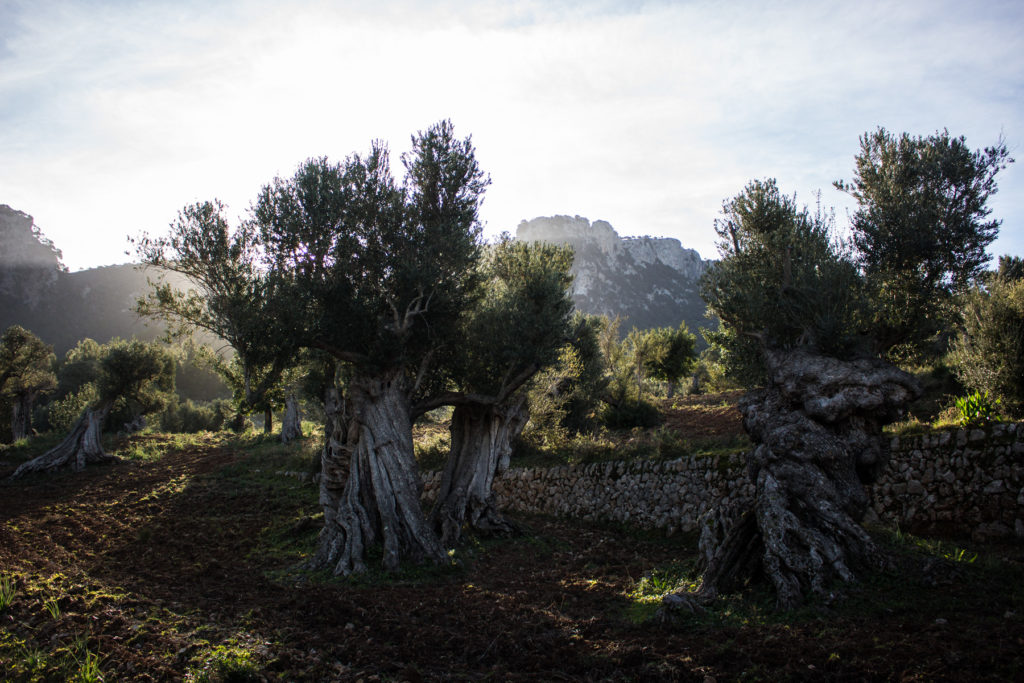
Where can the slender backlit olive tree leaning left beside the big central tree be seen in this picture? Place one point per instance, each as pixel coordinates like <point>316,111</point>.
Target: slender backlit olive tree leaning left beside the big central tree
<point>231,296</point>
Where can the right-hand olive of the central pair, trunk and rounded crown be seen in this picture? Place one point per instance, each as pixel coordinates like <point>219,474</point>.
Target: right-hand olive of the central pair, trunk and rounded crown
<point>518,328</point>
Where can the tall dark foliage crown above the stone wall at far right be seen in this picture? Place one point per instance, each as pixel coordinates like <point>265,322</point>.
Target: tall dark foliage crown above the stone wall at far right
<point>921,231</point>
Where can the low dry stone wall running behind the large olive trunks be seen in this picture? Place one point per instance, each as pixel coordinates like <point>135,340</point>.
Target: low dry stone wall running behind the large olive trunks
<point>958,481</point>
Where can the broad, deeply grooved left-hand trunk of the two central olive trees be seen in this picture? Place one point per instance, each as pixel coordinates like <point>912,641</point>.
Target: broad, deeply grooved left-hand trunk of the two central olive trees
<point>370,484</point>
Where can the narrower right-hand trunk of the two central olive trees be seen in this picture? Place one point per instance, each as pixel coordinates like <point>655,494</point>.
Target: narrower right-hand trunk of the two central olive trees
<point>482,444</point>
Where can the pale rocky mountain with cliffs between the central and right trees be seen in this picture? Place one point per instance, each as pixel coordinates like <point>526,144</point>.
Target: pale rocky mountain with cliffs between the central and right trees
<point>650,282</point>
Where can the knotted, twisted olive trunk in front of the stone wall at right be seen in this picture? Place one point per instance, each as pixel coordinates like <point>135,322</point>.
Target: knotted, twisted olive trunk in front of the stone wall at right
<point>818,436</point>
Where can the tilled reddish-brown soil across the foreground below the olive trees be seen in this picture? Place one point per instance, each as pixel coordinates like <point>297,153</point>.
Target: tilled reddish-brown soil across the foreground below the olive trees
<point>155,564</point>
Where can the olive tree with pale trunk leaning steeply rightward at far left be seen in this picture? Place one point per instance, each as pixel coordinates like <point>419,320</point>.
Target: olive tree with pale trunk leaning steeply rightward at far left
<point>137,374</point>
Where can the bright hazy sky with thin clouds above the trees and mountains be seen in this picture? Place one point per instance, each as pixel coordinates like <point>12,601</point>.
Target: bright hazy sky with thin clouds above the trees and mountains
<point>116,114</point>
